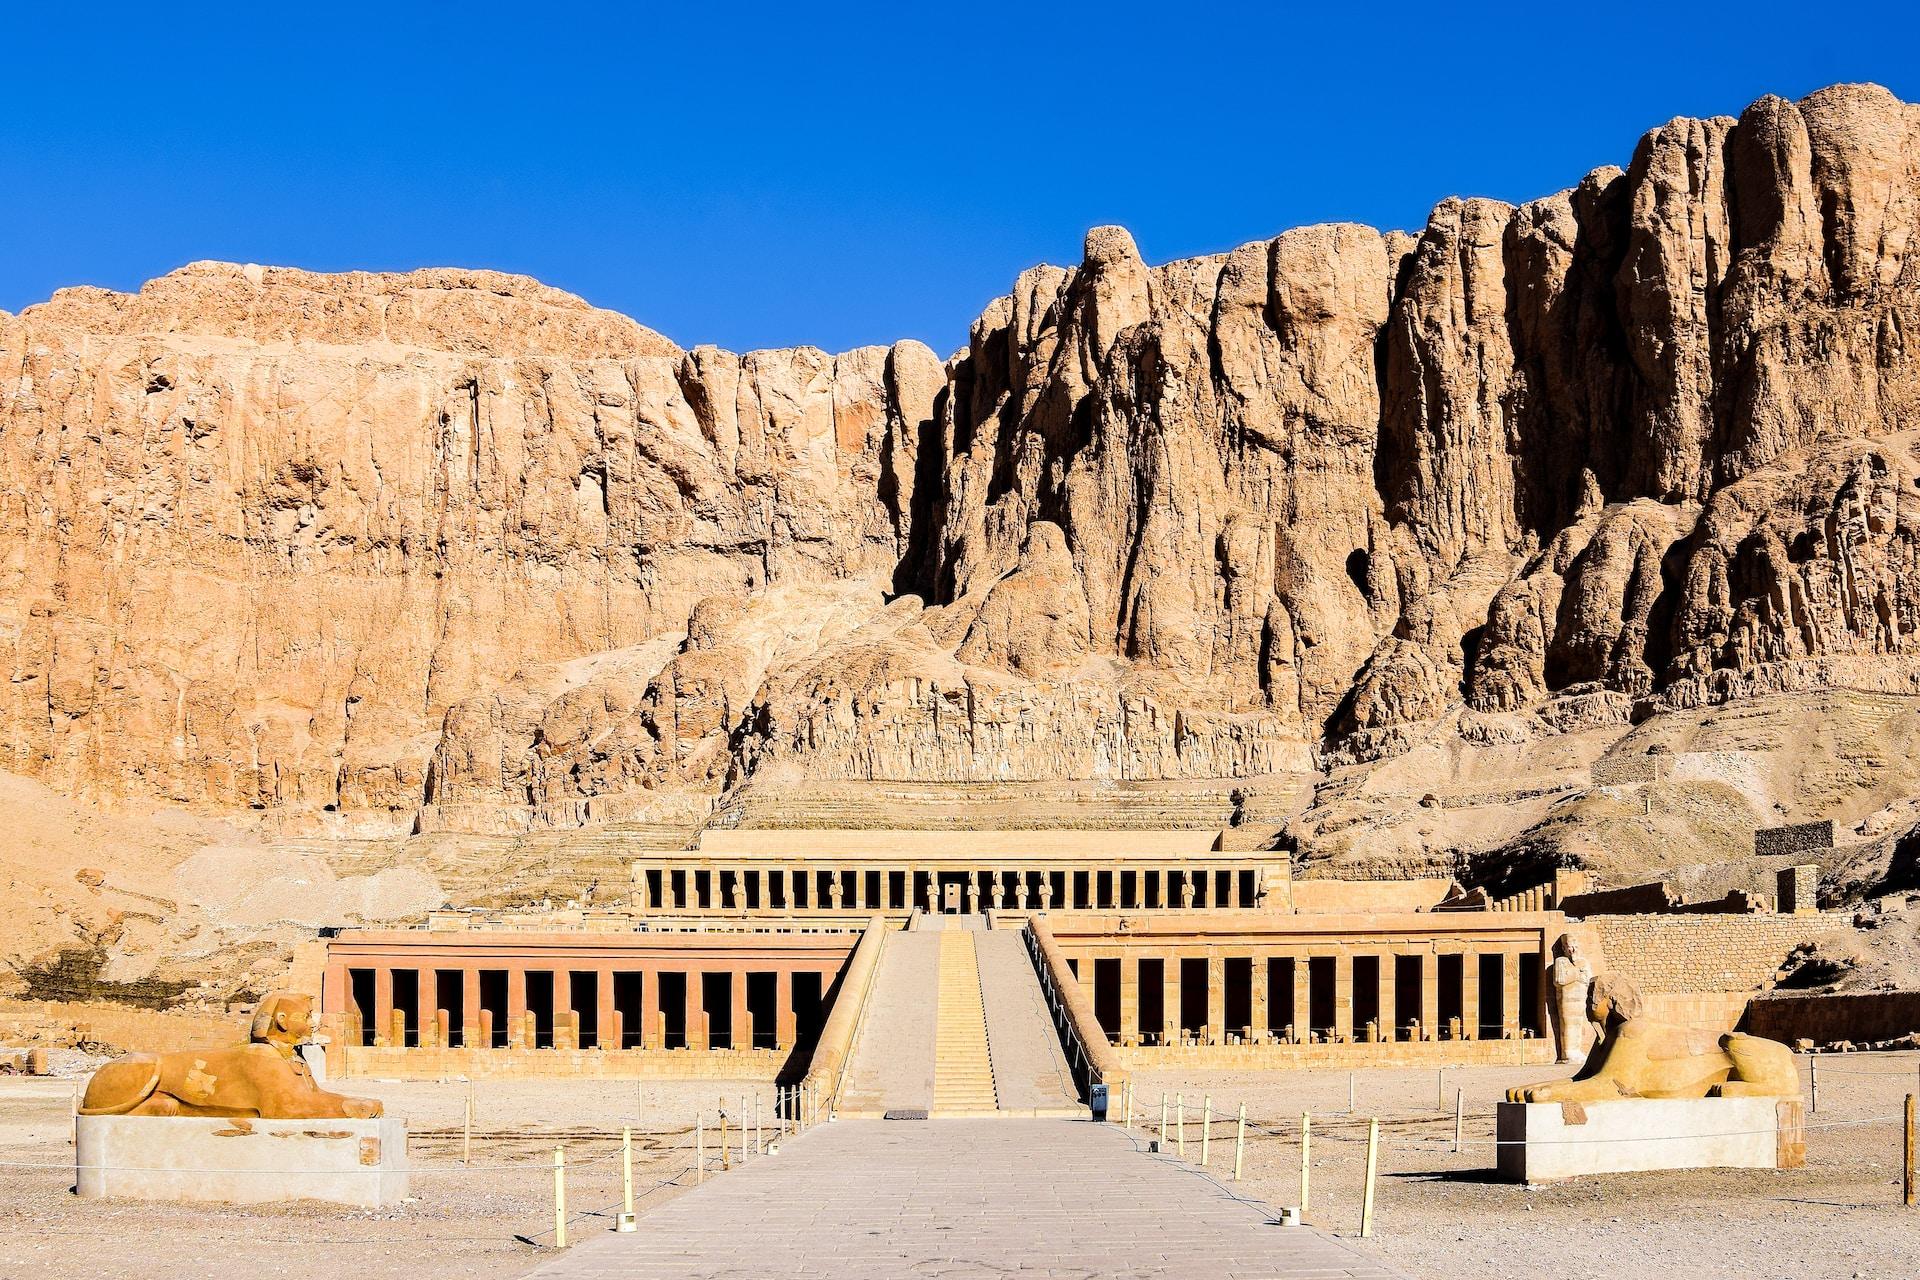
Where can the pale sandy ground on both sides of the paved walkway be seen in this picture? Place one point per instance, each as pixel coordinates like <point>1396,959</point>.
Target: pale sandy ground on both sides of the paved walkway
<point>1439,1216</point>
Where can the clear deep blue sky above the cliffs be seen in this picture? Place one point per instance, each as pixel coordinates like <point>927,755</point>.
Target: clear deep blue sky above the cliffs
<point>836,176</point>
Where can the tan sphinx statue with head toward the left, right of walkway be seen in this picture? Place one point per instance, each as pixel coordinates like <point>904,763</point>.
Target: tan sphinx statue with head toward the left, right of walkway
<point>1644,1058</point>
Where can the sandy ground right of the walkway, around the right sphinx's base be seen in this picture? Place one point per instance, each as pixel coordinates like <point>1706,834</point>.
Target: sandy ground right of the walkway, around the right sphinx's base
<point>1441,1216</point>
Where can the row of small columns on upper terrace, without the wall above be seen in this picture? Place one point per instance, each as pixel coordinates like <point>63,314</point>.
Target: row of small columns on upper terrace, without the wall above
<point>901,888</point>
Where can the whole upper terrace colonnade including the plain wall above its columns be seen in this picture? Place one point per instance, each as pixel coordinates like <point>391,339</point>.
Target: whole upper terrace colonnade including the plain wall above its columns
<point>959,872</point>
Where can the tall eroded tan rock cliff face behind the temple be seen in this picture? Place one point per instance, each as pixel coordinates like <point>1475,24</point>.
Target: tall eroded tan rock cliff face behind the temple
<point>456,548</point>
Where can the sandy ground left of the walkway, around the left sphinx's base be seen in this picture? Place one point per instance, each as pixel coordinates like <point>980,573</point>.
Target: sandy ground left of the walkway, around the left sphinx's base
<point>489,1220</point>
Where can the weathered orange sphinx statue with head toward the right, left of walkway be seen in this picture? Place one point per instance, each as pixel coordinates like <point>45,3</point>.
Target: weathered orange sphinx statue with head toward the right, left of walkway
<point>262,1079</point>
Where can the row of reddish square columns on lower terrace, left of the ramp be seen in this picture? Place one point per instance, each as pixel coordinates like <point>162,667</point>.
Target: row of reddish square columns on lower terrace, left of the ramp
<point>477,1022</point>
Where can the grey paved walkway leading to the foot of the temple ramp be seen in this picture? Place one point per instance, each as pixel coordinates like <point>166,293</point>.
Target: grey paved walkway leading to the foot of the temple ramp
<point>955,1200</point>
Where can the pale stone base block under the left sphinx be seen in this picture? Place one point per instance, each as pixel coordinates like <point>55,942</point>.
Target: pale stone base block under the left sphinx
<point>187,1158</point>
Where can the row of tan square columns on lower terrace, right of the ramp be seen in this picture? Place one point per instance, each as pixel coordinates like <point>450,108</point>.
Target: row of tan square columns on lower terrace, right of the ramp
<point>1387,1028</point>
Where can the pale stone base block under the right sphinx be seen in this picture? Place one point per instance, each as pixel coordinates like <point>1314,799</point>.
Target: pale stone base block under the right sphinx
<point>1541,1143</point>
